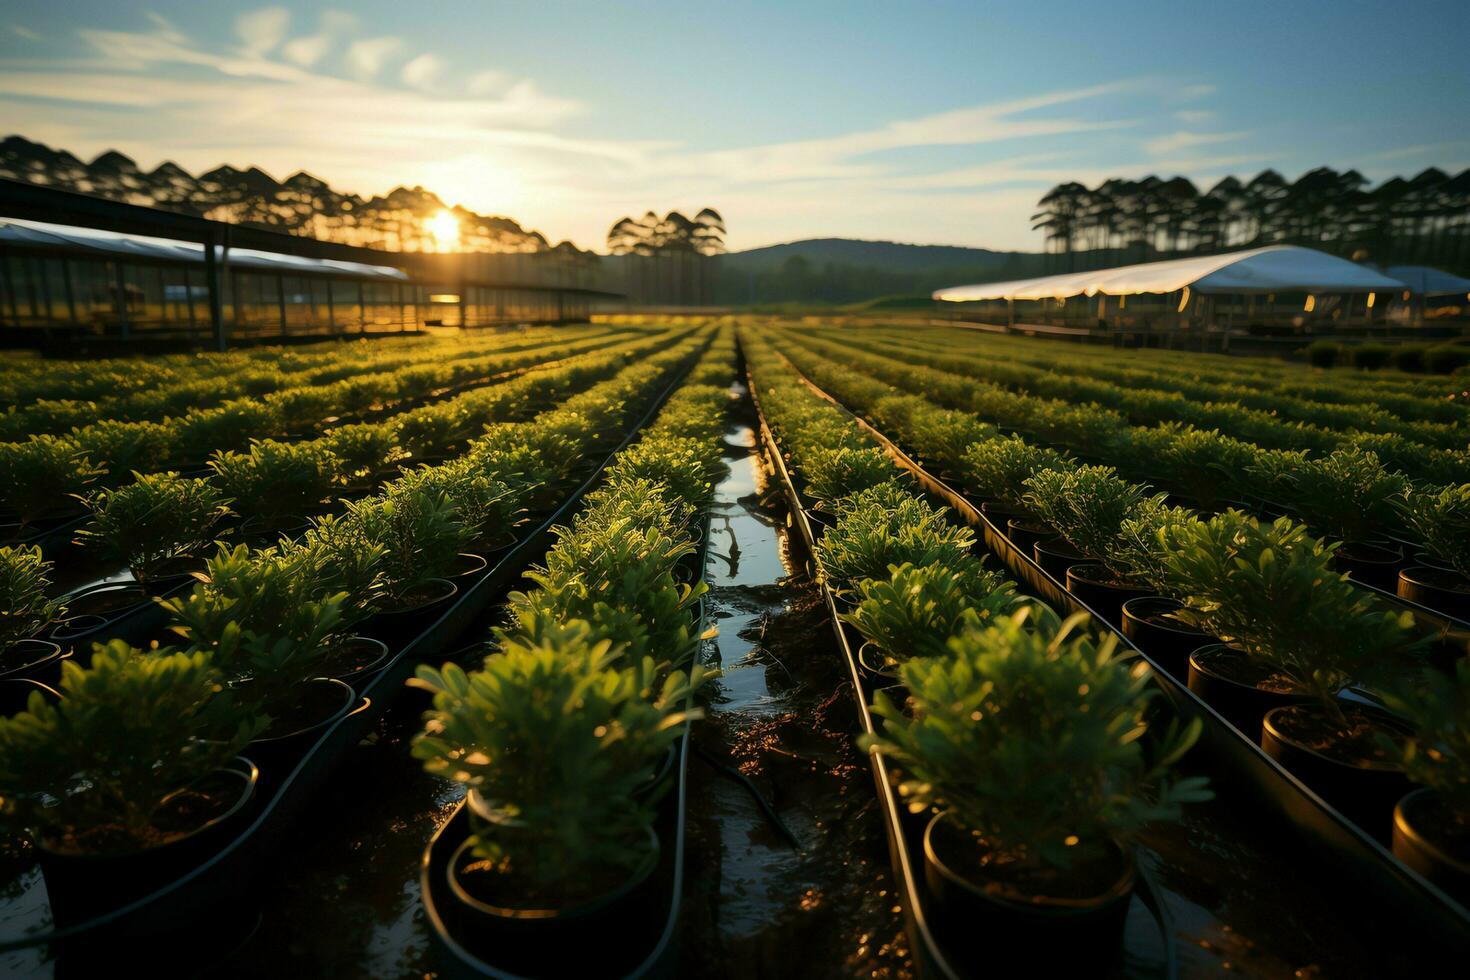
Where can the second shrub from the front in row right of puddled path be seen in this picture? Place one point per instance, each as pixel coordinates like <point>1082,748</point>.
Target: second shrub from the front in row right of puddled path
<point>917,610</point>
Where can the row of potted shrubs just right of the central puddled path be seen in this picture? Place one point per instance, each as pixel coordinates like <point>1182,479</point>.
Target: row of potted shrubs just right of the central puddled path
<point>1019,738</point>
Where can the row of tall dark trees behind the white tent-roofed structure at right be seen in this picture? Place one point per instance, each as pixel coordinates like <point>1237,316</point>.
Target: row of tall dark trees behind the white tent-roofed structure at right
<point>1422,220</point>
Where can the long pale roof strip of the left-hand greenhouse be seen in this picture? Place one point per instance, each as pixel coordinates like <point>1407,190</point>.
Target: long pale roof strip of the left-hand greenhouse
<point>107,245</point>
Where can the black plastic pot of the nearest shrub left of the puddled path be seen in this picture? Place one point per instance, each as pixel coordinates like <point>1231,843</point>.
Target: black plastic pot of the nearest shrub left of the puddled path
<point>546,943</point>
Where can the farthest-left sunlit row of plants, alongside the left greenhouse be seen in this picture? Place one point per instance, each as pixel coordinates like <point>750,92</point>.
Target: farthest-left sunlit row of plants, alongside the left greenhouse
<point>136,390</point>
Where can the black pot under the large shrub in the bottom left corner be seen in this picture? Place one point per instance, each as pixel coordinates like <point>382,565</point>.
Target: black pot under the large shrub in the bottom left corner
<point>105,868</point>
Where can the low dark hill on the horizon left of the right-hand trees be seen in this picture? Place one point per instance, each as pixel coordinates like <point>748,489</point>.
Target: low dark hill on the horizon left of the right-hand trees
<point>850,271</point>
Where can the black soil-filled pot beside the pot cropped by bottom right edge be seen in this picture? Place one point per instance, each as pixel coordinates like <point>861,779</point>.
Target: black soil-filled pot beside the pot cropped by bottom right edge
<point>1346,766</point>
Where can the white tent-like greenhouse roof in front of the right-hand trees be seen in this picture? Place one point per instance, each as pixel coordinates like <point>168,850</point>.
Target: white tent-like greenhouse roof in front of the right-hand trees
<point>1271,270</point>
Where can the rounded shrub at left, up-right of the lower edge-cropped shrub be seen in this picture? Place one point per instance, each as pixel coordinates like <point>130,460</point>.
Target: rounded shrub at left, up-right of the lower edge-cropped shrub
<point>155,525</point>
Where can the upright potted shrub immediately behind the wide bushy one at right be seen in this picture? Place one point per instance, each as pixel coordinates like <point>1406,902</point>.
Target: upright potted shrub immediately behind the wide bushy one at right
<point>1089,506</point>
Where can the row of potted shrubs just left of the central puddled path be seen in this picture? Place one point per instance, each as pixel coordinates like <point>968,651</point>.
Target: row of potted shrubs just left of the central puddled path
<point>567,734</point>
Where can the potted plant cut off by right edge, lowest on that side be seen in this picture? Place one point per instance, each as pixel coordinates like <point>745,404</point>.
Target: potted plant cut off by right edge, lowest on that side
<point>1433,824</point>
